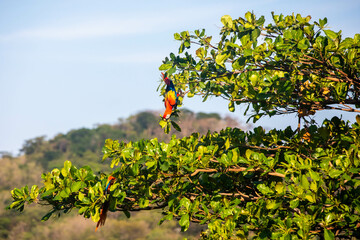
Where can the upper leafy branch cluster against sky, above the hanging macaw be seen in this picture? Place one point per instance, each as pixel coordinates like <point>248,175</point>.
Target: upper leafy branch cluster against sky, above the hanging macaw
<point>290,65</point>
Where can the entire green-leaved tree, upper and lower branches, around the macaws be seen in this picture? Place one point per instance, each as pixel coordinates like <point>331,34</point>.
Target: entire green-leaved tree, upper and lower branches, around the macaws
<point>291,183</point>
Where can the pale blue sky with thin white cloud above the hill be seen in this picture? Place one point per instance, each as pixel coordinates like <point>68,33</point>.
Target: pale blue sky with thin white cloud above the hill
<point>72,64</point>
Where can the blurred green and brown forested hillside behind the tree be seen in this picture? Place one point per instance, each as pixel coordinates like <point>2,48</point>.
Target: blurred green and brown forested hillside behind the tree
<point>83,147</point>
